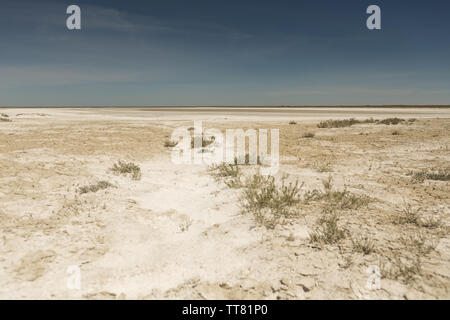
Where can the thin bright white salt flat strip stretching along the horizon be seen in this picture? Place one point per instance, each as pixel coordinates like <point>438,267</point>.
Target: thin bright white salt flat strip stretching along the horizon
<point>235,113</point>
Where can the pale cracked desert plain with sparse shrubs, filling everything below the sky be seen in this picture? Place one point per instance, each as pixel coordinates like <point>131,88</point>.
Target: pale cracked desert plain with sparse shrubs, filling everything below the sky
<point>368,219</point>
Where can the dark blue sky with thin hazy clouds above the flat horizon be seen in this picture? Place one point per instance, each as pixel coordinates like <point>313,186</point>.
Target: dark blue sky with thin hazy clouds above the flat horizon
<point>224,53</point>
